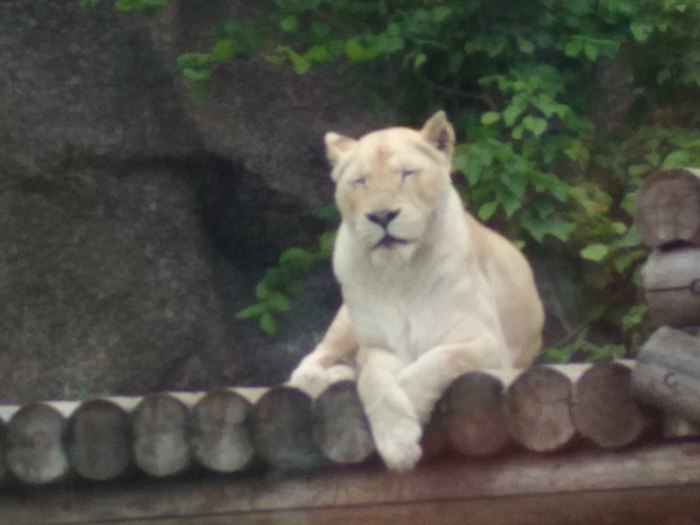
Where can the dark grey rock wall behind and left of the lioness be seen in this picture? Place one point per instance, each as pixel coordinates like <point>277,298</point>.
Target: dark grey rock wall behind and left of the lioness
<point>135,224</point>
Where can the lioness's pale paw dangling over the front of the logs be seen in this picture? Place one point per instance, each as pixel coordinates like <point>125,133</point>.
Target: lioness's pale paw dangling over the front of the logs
<point>398,443</point>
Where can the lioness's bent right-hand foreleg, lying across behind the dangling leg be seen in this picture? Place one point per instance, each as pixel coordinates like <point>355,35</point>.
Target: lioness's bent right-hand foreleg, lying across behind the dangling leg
<point>427,378</point>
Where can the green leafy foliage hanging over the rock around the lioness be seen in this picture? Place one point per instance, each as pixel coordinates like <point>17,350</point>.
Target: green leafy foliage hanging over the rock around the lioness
<point>518,79</point>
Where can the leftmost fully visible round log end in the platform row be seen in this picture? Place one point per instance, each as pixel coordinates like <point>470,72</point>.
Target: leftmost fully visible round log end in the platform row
<point>35,438</point>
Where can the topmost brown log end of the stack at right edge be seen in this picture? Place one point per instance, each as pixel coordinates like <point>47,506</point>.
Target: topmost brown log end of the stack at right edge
<point>668,208</point>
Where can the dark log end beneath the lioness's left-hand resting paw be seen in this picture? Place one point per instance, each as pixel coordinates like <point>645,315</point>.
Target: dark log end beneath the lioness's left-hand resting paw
<point>283,423</point>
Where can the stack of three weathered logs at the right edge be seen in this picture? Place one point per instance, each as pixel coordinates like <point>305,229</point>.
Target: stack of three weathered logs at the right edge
<point>667,215</point>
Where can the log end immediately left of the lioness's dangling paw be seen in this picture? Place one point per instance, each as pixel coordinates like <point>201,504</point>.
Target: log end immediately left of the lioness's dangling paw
<point>342,431</point>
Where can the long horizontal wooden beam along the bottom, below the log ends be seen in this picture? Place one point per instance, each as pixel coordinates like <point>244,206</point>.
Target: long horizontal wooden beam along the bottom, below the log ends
<point>648,485</point>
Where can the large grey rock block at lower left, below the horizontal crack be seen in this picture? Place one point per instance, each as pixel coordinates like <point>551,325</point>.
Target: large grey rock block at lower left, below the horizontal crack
<point>103,283</point>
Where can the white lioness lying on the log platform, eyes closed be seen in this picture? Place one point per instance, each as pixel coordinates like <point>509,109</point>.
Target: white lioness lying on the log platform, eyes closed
<point>429,293</point>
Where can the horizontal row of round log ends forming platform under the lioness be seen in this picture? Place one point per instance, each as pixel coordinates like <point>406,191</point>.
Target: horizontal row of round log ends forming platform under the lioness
<point>542,409</point>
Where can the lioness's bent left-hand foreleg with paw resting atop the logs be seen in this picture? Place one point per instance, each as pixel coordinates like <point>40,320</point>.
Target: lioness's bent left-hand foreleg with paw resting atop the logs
<point>320,368</point>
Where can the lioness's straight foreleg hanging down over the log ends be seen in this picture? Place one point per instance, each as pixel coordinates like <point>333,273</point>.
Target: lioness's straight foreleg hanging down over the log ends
<point>393,421</point>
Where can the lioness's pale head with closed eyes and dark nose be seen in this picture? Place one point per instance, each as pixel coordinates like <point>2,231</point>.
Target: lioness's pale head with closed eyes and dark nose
<point>389,182</point>
